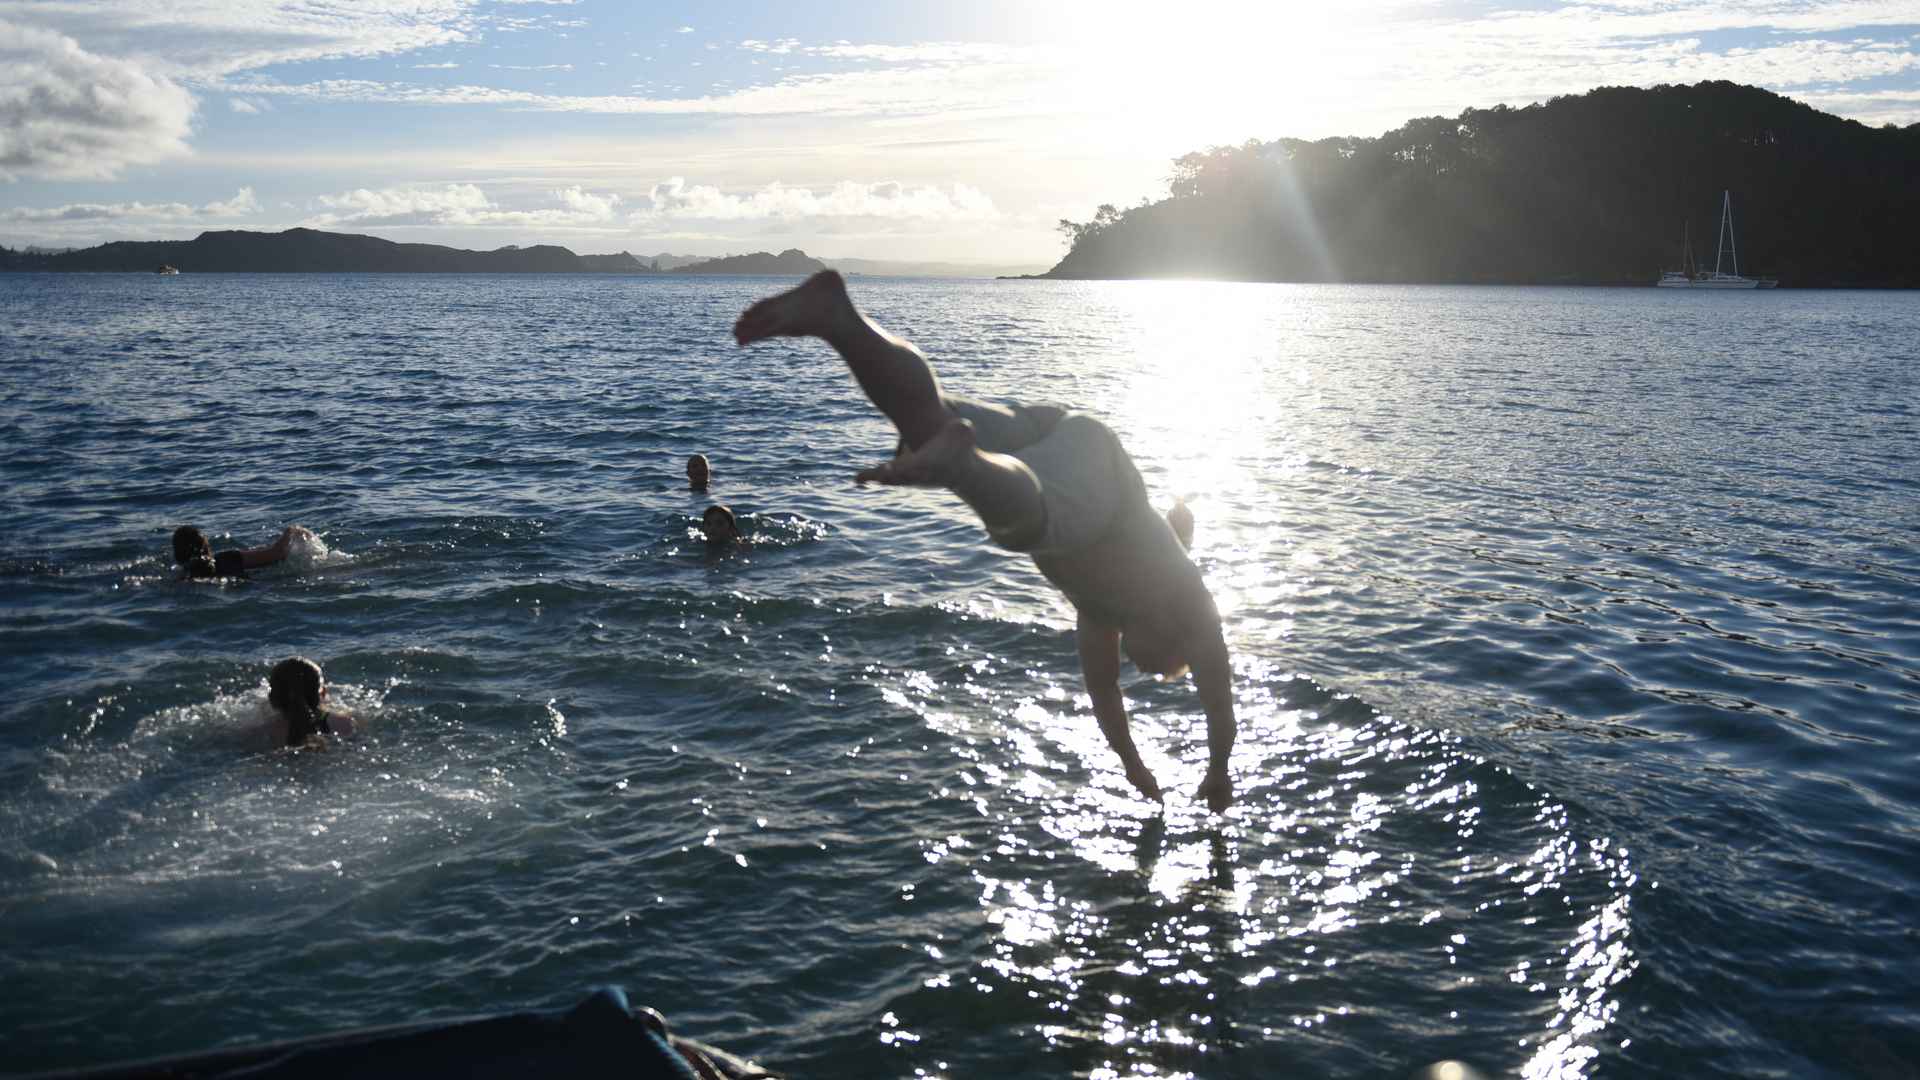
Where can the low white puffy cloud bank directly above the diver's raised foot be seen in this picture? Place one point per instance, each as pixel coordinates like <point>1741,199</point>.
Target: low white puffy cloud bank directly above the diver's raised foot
<point>848,201</point>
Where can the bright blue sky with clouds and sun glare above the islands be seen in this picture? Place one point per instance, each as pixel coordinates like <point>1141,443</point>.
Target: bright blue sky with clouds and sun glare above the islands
<point>959,132</point>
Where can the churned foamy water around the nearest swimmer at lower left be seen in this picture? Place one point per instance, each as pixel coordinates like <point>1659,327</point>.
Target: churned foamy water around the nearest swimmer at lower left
<point>199,793</point>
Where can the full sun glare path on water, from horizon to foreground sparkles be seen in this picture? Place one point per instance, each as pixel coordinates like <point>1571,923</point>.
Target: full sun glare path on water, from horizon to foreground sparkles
<point>1376,893</point>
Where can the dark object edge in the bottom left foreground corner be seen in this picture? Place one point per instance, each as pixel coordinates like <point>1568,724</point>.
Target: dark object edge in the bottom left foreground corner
<point>602,1037</point>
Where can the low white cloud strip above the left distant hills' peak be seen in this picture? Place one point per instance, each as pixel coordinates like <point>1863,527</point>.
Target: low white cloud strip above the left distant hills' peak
<point>462,207</point>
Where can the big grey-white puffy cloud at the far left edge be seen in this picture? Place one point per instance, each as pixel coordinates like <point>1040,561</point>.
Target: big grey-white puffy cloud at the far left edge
<point>72,114</point>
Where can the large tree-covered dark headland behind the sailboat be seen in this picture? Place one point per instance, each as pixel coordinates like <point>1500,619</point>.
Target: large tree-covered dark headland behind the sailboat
<point>1593,189</point>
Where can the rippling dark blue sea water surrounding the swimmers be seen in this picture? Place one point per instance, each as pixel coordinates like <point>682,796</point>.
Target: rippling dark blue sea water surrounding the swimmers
<point>1575,645</point>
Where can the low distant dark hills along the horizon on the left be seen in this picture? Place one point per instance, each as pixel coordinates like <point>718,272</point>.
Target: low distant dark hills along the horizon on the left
<point>310,251</point>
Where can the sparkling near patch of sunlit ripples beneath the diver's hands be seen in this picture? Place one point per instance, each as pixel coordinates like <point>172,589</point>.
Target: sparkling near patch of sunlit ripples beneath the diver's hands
<point>1374,881</point>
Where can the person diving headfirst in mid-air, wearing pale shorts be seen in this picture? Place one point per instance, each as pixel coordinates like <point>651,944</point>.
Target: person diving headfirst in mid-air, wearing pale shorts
<point>1059,487</point>
